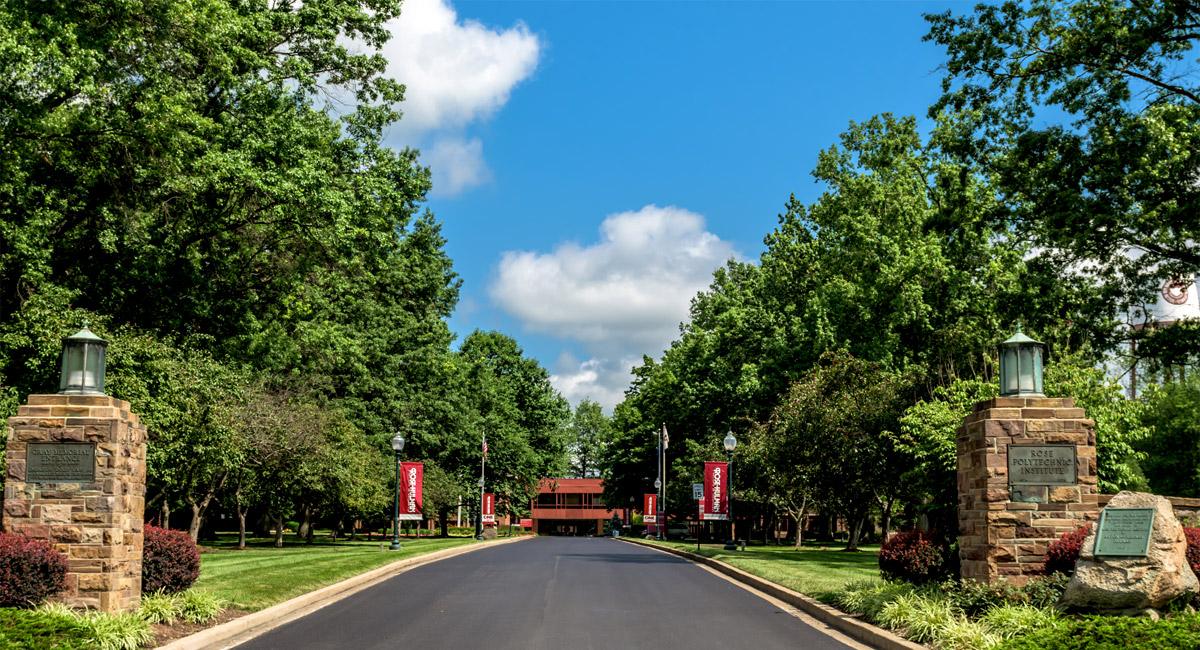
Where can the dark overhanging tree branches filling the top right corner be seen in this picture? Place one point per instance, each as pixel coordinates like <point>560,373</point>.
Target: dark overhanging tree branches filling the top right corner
<point>1087,117</point>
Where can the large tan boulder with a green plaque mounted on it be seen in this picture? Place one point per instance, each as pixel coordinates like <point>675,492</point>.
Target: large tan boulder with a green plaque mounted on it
<point>1133,585</point>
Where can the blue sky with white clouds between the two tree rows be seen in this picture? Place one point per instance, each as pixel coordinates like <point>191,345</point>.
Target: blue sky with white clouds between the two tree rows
<point>595,162</point>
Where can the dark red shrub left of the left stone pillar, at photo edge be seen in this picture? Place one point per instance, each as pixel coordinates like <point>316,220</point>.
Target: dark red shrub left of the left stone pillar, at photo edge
<point>31,571</point>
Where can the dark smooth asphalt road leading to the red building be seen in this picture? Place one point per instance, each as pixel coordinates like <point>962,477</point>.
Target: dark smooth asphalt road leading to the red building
<point>550,594</point>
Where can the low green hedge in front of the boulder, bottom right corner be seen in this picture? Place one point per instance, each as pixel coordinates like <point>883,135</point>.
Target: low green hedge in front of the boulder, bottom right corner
<point>1113,634</point>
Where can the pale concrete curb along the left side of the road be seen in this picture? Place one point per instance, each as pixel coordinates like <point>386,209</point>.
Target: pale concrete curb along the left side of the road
<point>244,629</point>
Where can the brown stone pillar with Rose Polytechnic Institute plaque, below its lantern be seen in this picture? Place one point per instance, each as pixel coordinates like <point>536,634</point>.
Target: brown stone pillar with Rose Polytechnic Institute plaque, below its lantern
<point>1004,528</point>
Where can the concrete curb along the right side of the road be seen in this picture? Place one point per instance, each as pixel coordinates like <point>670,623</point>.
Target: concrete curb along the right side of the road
<point>832,617</point>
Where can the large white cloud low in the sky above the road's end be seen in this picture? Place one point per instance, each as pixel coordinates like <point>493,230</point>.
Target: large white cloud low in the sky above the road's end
<point>620,298</point>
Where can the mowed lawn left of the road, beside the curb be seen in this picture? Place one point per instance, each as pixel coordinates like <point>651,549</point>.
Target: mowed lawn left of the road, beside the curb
<point>262,575</point>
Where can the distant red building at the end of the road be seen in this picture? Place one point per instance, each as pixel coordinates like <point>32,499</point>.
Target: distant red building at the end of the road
<point>571,507</point>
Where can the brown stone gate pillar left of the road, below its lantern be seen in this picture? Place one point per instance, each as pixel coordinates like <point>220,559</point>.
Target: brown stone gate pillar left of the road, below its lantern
<point>94,519</point>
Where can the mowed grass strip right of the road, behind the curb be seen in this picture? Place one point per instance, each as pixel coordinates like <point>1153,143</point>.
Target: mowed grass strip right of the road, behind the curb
<point>815,571</point>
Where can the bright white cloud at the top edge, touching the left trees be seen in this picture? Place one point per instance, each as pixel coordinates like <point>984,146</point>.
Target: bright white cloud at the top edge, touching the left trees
<point>455,71</point>
